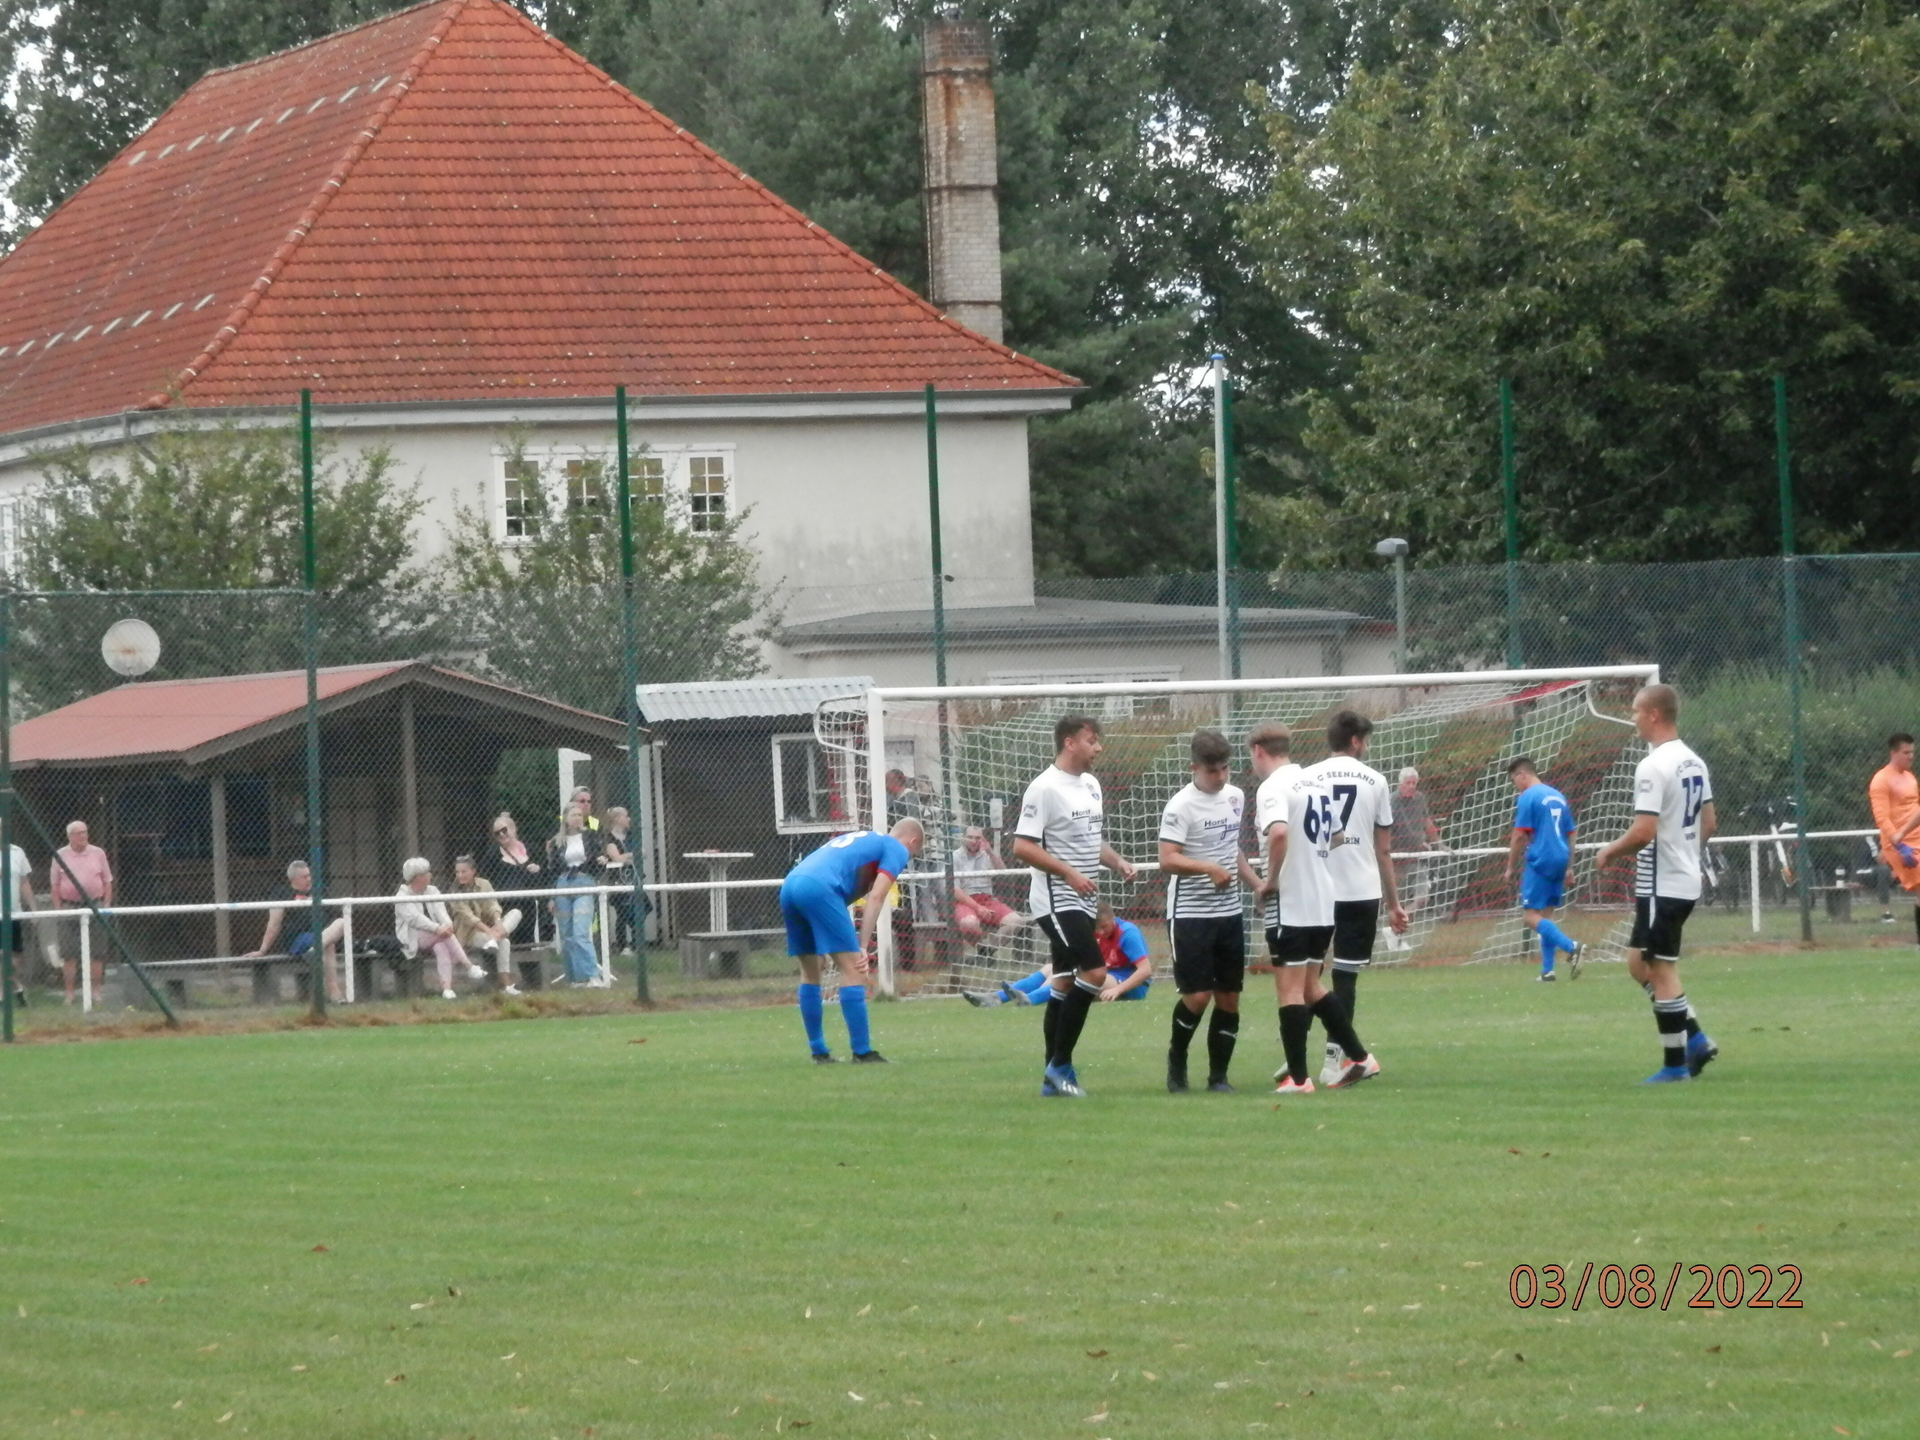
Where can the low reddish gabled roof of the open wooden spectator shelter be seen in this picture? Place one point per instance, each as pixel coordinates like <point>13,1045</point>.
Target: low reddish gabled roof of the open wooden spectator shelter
<point>189,723</point>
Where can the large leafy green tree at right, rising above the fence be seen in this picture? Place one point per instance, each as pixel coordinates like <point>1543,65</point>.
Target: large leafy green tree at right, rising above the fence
<point>1639,212</point>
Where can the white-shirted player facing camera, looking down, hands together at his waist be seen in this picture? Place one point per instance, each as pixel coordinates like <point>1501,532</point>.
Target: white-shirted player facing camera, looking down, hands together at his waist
<point>1207,923</point>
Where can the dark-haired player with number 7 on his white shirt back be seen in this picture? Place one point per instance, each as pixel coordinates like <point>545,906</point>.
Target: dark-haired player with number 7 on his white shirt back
<point>1362,869</point>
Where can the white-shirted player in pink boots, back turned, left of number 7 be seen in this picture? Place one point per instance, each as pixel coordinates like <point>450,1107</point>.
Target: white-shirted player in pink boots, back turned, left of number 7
<point>1295,819</point>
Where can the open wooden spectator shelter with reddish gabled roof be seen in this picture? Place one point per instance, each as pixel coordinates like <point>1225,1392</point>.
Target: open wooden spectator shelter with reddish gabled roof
<point>199,788</point>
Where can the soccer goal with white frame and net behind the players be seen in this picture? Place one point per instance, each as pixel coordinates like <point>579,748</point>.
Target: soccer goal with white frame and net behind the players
<point>969,754</point>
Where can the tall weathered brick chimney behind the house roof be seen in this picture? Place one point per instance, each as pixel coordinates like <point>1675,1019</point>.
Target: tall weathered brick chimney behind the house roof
<point>963,172</point>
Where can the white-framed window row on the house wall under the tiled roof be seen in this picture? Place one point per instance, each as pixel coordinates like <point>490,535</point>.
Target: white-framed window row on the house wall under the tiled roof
<point>692,483</point>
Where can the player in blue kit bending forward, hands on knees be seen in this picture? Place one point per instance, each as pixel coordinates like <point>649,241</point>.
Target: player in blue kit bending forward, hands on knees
<point>813,901</point>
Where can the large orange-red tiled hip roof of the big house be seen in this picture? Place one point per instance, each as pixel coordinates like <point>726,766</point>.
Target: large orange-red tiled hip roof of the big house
<point>446,204</point>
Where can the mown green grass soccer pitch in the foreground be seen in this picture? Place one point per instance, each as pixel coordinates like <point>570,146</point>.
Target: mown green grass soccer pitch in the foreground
<point>673,1226</point>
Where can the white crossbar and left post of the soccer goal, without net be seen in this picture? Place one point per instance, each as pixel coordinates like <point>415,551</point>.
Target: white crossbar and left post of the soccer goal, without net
<point>880,696</point>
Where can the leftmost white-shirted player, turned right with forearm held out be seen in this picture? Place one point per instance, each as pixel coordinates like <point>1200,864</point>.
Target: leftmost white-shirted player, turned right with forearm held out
<point>1061,838</point>
